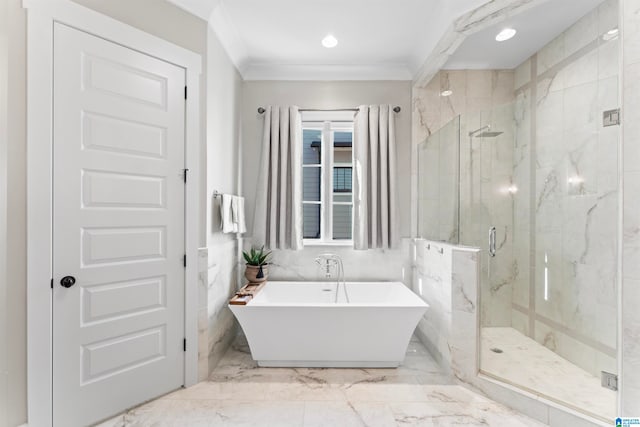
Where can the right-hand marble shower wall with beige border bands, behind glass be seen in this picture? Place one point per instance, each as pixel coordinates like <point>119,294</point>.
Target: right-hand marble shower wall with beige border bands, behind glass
<point>566,291</point>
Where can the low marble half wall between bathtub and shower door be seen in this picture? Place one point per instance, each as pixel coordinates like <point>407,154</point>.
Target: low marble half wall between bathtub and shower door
<point>447,278</point>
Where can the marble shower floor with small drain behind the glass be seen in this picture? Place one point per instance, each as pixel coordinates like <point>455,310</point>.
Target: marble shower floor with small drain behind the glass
<point>529,365</point>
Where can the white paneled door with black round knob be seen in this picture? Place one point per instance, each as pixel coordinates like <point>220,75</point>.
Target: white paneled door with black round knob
<point>118,228</point>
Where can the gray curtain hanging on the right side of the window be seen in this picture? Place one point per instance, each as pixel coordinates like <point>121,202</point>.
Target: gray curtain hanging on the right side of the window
<point>374,182</point>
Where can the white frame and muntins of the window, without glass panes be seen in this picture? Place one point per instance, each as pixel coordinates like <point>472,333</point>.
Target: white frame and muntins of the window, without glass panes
<point>329,125</point>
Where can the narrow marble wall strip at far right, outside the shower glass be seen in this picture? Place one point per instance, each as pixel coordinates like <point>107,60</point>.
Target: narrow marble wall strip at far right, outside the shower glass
<point>630,374</point>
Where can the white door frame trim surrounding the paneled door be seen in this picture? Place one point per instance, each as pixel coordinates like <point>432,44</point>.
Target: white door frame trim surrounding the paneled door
<point>41,16</point>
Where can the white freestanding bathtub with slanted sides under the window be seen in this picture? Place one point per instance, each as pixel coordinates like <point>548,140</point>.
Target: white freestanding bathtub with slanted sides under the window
<point>299,324</point>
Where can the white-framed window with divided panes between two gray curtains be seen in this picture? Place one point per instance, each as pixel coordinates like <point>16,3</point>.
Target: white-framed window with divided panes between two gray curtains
<point>327,180</point>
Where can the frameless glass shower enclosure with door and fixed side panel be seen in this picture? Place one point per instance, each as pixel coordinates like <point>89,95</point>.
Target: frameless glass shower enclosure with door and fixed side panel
<point>543,215</point>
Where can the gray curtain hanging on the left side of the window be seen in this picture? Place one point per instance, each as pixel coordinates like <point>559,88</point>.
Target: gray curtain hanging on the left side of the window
<point>278,214</point>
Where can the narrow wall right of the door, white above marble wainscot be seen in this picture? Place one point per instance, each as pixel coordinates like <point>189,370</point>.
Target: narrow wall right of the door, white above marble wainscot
<point>224,96</point>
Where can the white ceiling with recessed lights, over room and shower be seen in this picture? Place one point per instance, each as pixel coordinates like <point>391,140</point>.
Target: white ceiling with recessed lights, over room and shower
<point>378,39</point>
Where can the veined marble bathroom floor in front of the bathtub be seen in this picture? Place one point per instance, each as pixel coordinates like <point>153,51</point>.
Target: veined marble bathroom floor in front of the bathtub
<point>239,393</point>
